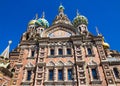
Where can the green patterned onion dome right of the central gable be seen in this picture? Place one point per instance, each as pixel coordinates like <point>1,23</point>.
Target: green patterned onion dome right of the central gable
<point>80,19</point>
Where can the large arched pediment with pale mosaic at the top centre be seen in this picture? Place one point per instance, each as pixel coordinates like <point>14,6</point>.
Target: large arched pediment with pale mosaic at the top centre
<point>58,31</point>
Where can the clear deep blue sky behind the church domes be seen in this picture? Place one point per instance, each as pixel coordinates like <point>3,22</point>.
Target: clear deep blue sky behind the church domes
<point>15,15</point>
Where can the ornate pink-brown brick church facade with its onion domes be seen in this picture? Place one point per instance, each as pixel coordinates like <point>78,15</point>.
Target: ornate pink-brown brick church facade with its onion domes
<point>63,54</point>
